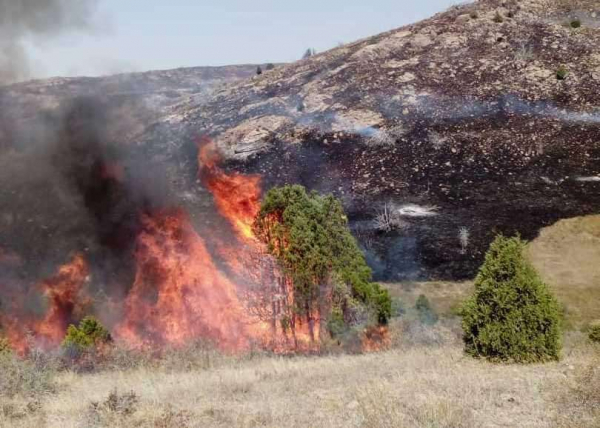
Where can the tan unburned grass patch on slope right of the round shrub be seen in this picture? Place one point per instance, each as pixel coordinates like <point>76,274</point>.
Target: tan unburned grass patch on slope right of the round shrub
<point>566,255</point>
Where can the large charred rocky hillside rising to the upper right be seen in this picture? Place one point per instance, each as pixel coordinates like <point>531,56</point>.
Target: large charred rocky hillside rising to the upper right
<point>482,119</point>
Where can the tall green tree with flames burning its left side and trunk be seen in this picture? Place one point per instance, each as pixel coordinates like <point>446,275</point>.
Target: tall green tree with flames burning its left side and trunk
<point>309,237</point>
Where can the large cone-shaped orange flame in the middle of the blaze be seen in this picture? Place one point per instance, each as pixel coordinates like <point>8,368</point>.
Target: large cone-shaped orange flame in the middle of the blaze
<point>179,294</point>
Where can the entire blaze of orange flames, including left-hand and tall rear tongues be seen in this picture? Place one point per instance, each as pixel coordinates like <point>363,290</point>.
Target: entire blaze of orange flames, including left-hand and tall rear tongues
<point>180,292</point>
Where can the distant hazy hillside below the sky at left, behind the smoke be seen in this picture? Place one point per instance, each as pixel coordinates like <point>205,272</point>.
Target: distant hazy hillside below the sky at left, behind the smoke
<point>26,108</point>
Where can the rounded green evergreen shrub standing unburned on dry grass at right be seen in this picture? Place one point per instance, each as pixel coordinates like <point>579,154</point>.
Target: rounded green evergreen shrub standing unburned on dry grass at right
<point>511,316</point>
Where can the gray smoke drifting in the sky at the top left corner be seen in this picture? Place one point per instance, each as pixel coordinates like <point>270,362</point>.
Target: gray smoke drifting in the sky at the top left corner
<point>23,20</point>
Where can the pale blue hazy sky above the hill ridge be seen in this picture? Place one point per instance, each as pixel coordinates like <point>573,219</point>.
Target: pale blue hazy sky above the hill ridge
<point>138,35</point>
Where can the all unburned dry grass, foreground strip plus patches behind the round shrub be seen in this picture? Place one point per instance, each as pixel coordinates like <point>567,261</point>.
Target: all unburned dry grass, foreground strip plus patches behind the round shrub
<point>426,381</point>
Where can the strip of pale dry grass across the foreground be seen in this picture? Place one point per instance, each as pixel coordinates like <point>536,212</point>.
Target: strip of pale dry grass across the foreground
<point>414,387</point>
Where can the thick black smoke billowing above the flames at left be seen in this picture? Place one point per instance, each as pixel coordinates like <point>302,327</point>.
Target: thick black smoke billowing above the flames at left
<point>82,191</point>
